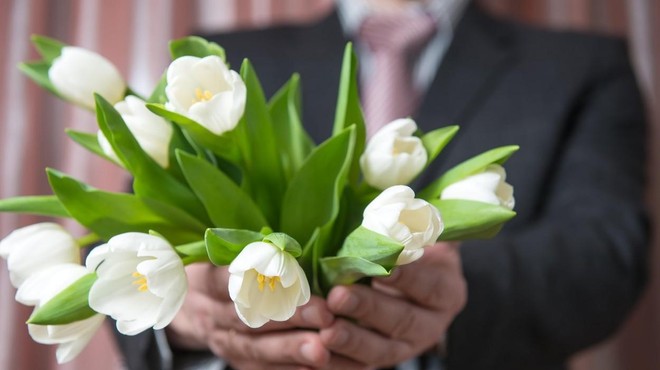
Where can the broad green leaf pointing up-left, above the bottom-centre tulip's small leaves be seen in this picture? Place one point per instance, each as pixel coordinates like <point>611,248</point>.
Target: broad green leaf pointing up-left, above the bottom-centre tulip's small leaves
<point>225,202</point>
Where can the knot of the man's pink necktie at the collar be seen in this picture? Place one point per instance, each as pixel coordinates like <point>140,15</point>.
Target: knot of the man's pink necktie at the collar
<point>397,33</point>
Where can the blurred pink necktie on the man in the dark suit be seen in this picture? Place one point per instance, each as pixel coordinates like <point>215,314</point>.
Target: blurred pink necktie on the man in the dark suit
<point>396,41</point>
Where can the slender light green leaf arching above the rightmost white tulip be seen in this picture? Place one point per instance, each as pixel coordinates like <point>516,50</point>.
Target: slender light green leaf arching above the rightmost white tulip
<point>470,167</point>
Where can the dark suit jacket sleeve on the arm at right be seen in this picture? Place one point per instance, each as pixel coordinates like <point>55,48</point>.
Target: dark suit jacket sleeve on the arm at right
<point>540,293</point>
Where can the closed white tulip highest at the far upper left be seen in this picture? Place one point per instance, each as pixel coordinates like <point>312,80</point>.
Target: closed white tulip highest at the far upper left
<point>78,73</point>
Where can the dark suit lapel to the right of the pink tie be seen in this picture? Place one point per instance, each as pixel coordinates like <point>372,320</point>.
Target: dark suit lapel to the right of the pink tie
<point>480,51</point>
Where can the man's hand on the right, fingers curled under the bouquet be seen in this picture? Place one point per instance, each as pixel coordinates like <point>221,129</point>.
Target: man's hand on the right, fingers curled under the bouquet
<point>401,316</point>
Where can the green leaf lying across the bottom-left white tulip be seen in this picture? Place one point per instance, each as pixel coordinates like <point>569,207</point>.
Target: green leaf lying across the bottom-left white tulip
<point>68,306</point>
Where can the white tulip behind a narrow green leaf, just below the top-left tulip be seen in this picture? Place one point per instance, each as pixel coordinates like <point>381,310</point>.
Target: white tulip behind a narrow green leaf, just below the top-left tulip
<point>151,131</point>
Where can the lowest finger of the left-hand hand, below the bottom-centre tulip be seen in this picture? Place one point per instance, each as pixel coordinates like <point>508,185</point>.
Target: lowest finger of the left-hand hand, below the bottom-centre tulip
<point>289,348</point>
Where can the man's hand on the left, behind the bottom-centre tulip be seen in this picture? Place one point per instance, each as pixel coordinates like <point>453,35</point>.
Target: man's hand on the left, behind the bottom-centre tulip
<point>208,320</point>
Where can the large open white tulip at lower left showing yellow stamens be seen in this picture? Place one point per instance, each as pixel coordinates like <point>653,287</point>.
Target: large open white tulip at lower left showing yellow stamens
<point>141,282</point>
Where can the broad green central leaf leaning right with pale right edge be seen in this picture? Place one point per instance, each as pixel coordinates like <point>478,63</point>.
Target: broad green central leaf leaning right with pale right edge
<point>313,197</point>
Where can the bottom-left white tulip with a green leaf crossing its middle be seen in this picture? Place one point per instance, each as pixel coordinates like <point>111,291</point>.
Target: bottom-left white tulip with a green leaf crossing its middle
<point>41,287</point>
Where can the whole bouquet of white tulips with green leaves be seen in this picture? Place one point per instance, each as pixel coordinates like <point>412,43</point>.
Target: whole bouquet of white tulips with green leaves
<point>223,175</point>
